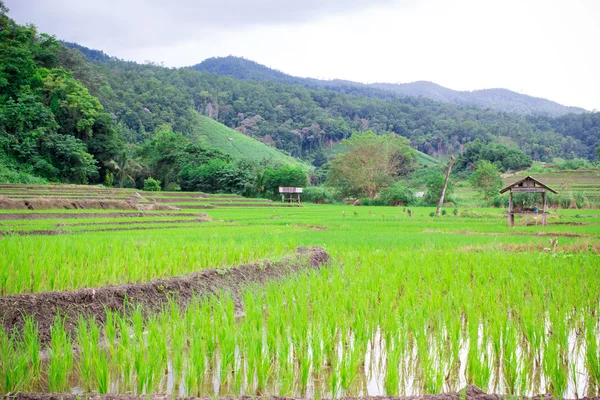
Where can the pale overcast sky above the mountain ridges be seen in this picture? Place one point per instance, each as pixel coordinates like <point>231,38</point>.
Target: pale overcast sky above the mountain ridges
<point>544,48</point>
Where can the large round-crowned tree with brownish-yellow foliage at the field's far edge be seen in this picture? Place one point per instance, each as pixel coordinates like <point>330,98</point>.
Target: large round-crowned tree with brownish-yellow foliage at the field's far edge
<point>370,163</point>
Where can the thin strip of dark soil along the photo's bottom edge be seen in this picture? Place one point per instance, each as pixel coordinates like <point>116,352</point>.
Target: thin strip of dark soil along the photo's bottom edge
<point>471,393</point>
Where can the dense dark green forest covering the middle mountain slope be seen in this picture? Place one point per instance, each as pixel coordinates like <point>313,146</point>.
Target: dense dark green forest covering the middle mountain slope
<point>301,121</point>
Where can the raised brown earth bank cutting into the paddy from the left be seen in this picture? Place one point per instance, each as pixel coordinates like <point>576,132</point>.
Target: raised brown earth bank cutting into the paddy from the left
<point>44,307</point>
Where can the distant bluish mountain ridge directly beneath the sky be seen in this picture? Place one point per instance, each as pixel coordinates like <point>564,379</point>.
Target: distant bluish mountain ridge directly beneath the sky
<point>497,99</point>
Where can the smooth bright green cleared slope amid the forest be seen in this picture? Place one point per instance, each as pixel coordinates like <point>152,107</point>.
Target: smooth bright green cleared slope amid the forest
<point>240,146</point>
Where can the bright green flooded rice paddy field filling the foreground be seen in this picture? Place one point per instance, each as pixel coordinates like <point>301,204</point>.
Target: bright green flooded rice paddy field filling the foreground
<point>408,305</point>
